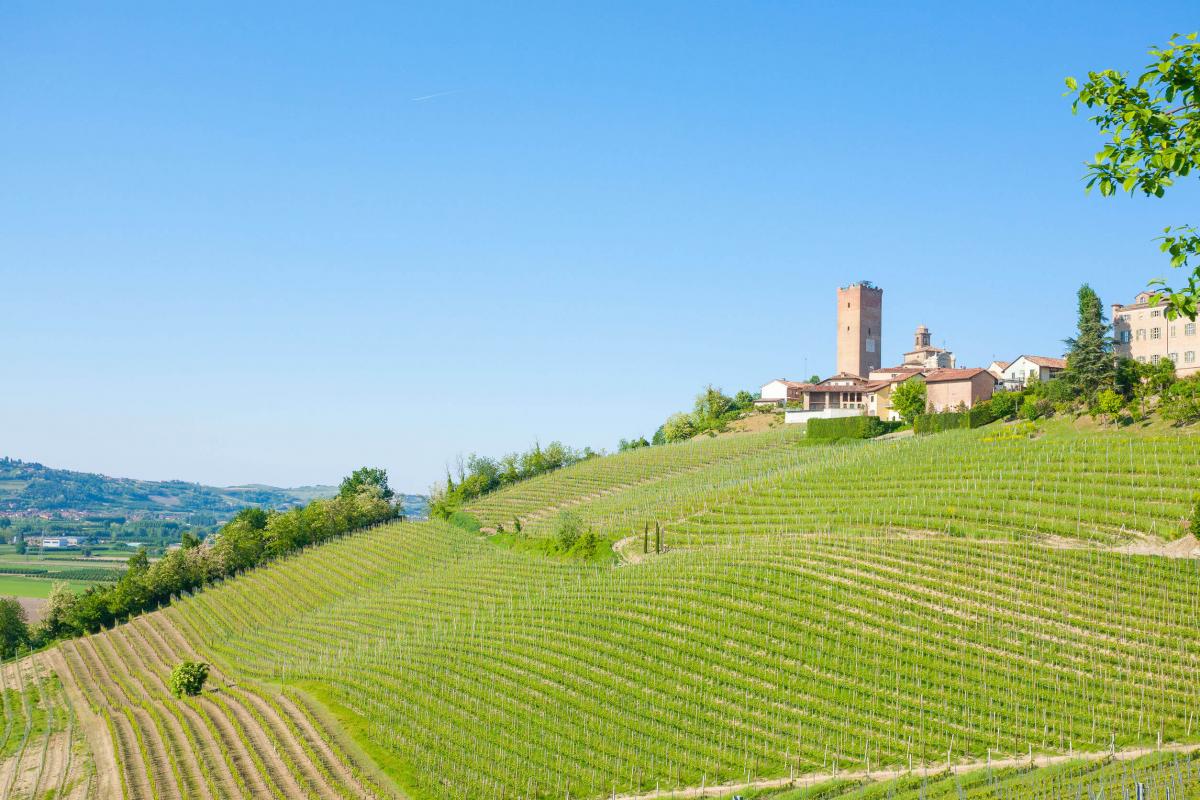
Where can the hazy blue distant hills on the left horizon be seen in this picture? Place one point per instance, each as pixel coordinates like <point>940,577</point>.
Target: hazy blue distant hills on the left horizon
<point>29,488</point>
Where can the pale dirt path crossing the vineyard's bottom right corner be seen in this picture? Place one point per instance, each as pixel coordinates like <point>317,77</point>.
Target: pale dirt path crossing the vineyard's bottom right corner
<point>815,779</point>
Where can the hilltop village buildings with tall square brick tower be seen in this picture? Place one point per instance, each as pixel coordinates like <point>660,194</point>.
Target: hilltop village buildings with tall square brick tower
<point>865,387</point>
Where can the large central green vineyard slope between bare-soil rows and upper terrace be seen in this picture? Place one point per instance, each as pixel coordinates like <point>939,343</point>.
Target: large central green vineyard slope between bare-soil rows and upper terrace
<point>487,669</point>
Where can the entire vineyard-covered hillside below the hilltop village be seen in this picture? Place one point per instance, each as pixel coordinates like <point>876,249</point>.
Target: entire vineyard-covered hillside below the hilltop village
<point>821,609</point>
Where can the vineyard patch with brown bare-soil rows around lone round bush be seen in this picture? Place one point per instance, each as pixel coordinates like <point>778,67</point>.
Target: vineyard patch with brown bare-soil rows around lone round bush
<point>233,741</point>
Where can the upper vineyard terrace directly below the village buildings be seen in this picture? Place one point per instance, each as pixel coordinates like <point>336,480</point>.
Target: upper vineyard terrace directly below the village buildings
<point>1103,488</point>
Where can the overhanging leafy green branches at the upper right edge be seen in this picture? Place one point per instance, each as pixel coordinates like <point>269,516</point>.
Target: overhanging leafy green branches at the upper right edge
<point>1153,129</point>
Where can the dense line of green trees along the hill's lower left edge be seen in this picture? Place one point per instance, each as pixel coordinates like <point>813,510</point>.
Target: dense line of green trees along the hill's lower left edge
<point>253,538</point>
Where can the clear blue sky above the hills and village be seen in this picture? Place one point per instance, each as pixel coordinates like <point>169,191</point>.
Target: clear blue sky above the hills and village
<point>271,243</point>
